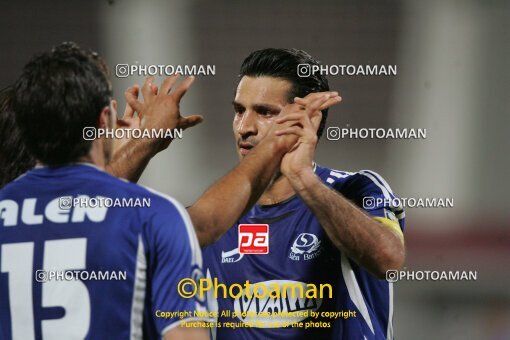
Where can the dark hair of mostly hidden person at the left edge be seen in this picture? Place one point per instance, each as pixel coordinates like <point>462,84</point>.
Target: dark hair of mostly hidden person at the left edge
<point>14,157</point>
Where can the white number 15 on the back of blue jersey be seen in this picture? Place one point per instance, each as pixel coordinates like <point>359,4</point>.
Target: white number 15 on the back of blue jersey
<point>73,296</point>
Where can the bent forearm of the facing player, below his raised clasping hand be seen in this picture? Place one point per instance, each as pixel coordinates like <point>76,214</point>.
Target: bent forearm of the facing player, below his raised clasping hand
<point>353,232</point>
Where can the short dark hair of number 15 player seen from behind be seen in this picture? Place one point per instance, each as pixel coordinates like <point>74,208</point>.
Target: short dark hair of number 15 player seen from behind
<point>58,94</point>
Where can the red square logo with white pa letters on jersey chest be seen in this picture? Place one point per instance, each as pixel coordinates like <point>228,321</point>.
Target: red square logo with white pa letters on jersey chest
<point>253,238</point>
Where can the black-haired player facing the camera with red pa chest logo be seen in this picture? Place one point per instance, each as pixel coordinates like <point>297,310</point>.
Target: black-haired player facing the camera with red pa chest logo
<point>318,232</point>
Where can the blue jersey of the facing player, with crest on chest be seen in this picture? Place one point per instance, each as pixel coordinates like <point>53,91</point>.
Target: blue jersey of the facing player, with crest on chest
<point>301,253</point>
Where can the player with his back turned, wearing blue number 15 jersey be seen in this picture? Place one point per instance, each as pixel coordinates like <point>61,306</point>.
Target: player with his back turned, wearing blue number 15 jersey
<point>78,271</point>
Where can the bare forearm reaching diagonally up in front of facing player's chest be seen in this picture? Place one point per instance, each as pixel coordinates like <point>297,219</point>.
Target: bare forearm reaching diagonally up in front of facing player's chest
<point>234,194</point>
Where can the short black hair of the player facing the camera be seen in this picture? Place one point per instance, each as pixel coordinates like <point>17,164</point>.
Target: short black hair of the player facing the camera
<point>283,63</point>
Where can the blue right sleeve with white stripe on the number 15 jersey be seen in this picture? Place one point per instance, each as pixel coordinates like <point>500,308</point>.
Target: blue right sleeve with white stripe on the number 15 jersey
<point>176,255</point>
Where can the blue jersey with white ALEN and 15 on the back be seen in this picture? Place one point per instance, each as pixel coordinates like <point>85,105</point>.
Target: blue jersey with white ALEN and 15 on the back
<point>92,270</point>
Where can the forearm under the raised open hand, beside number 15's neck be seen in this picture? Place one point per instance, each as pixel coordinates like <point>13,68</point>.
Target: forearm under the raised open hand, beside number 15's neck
<point>130,160</point>
